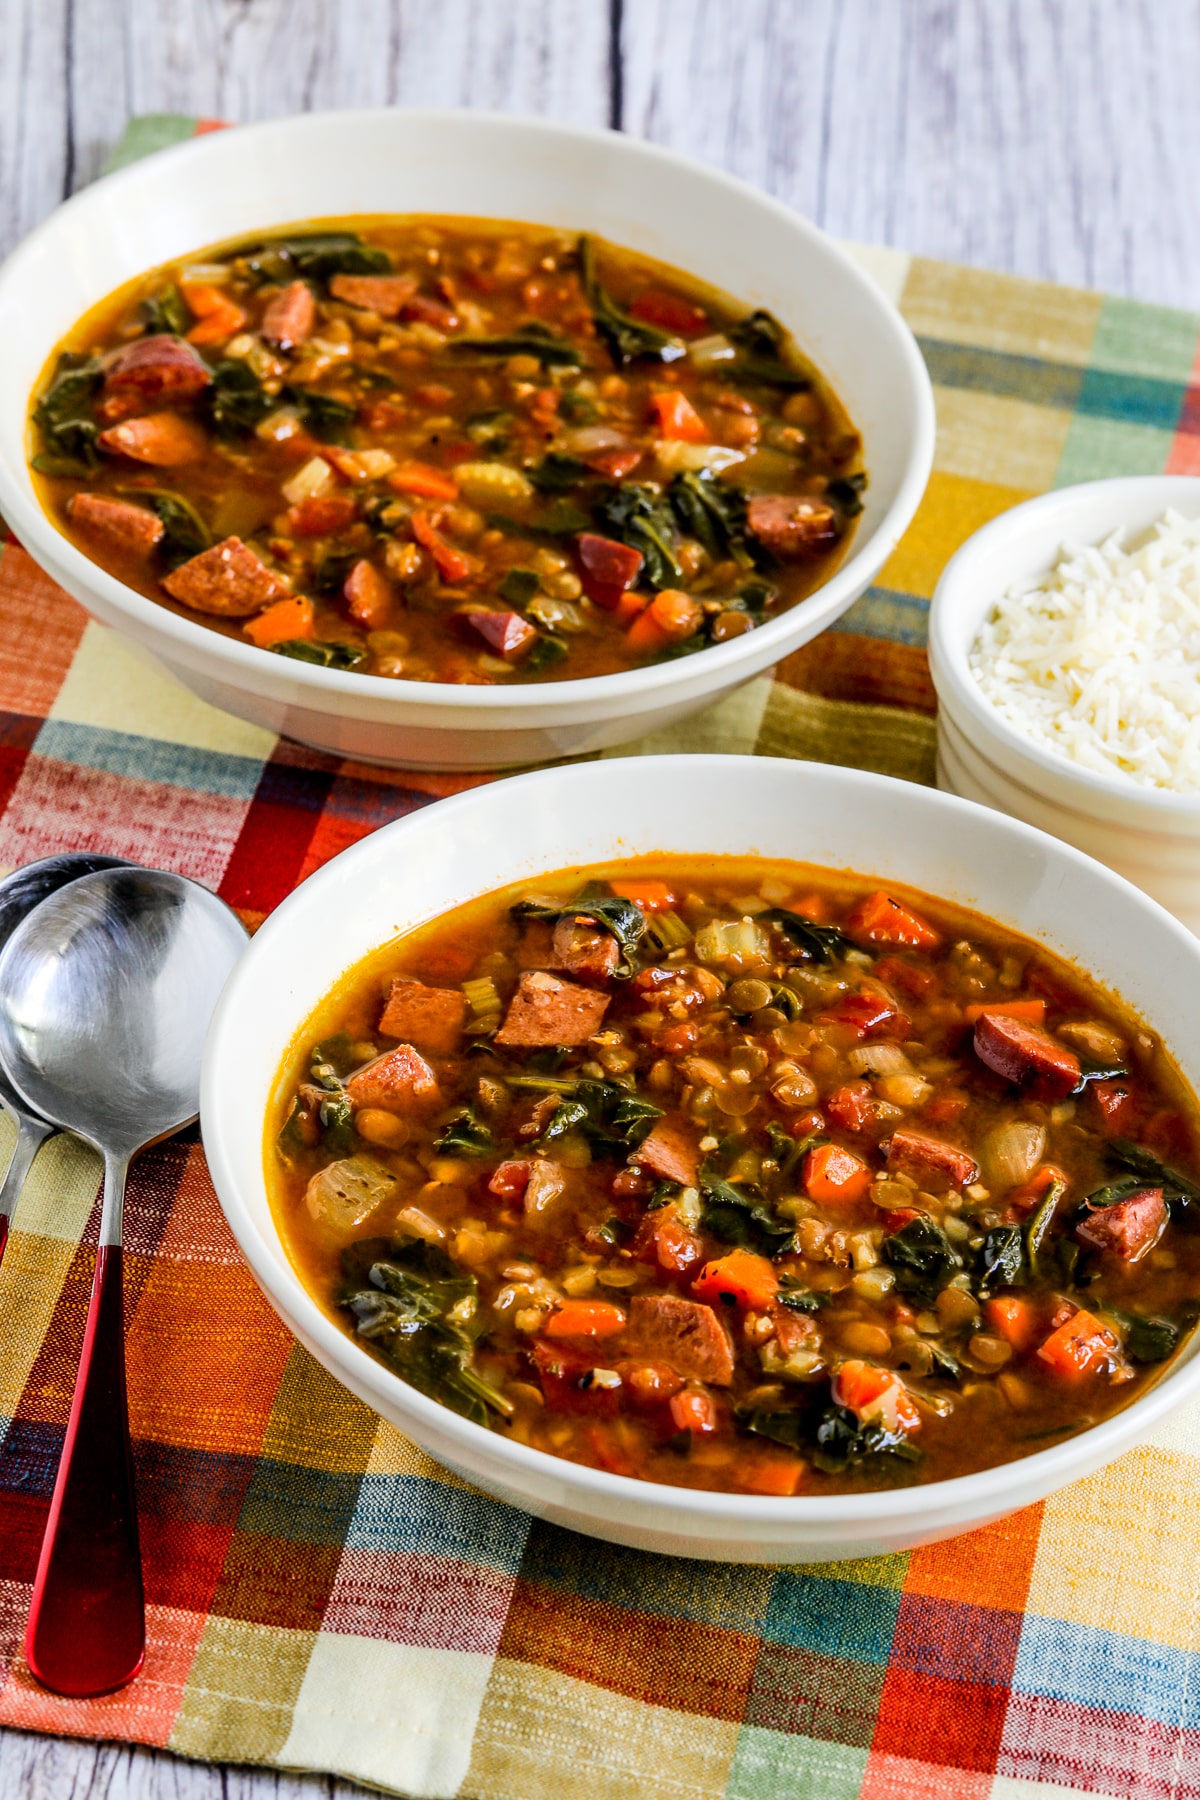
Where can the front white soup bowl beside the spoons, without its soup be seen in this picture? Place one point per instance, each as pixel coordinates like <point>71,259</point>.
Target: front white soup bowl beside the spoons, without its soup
<point>722,805</point>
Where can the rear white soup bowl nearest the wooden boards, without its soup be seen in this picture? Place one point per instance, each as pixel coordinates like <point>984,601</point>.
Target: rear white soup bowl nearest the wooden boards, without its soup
<point>325,165</point>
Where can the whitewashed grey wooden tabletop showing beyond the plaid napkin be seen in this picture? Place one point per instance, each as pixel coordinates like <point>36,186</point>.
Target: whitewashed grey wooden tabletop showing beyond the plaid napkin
<point>1048,138</point>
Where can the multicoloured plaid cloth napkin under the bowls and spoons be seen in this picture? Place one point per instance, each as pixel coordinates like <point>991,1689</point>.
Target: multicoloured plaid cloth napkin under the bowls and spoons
<point>327,1597</point>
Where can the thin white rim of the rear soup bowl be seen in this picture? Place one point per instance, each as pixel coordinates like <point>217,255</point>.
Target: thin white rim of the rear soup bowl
<point>35,528</point>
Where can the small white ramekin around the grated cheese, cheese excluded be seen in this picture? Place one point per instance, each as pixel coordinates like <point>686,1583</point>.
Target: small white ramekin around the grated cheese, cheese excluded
<point>1147,834</point>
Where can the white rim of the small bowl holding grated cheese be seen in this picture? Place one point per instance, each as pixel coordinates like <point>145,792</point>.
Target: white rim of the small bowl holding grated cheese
<point>949,651</point>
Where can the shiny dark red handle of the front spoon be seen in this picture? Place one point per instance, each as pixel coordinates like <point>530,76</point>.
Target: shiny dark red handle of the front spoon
<point>87,1619</point>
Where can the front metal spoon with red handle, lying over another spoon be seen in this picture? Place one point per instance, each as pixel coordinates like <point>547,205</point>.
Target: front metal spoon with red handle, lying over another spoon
<point>105,1000</point>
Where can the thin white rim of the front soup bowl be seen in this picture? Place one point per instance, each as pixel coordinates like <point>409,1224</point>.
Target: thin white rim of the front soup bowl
<point>978,1497</point>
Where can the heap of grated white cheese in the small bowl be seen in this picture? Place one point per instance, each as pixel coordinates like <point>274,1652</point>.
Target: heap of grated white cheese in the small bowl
<point>1100,660</point>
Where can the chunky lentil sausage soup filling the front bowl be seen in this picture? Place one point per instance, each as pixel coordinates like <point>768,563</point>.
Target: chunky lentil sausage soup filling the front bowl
<point>742,1176</point>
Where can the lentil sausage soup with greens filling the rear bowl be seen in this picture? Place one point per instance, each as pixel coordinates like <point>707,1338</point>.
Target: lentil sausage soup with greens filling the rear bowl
<point>447,451</point>
